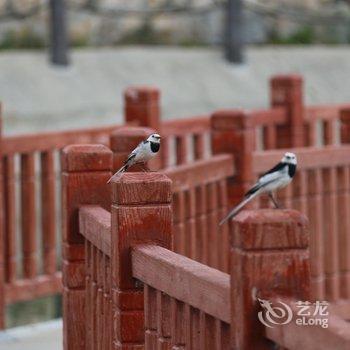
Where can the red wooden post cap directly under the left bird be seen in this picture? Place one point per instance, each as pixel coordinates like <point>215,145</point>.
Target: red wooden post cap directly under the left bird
<point>141,188</point>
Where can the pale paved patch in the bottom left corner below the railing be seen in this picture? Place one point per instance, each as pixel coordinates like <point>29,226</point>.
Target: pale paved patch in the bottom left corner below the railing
<point>47,335</point>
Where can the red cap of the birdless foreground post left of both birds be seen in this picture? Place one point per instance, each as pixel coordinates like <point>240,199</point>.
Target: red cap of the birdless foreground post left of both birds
<point>92,157</point>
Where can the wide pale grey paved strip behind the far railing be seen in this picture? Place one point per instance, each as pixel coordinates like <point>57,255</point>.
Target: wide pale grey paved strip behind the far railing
<point>37,96</point>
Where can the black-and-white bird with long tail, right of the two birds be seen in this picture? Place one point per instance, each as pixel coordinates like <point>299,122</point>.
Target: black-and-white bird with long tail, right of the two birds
<point>277,177</point>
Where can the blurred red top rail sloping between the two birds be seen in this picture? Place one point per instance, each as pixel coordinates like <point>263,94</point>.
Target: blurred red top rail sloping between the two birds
<point>200,172</point>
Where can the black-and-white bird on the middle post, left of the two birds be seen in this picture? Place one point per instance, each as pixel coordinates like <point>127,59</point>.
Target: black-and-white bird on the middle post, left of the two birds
<point>144,152</point>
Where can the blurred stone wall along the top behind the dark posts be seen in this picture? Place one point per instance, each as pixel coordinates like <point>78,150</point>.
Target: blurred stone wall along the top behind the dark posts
<point>110,22</point>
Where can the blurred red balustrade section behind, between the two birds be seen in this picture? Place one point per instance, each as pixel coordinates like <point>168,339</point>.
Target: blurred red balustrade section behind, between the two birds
<point>199,203</point>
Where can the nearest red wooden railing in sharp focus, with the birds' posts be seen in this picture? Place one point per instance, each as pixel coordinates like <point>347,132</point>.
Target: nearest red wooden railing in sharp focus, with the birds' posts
<point>182,303</point>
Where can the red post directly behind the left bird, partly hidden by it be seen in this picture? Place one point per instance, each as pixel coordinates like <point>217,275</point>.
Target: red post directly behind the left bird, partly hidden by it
<point>123,141</point>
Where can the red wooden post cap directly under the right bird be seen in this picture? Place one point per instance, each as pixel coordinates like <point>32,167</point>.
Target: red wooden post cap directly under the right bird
<point>270,229</point>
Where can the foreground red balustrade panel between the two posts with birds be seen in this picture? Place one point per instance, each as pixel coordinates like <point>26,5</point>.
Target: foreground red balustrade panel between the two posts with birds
<point>185,301</point>
